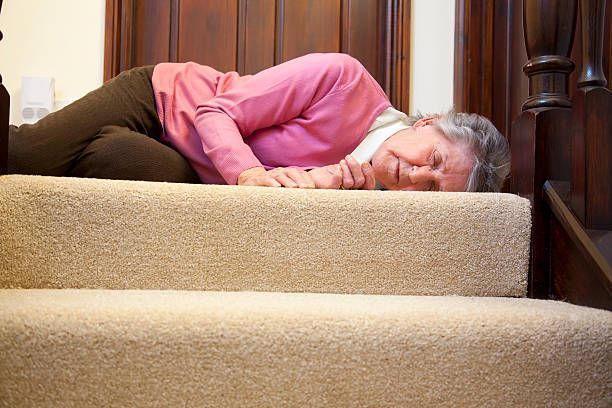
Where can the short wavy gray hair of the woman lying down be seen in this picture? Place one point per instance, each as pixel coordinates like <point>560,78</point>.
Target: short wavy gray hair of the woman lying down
<point>490,148</point>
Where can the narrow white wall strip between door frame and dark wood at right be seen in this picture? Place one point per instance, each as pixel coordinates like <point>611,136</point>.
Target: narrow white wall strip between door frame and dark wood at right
<point>432,55</point>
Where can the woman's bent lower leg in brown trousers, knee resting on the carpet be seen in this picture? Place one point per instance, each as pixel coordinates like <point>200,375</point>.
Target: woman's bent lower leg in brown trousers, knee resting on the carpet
<point>122,154</point>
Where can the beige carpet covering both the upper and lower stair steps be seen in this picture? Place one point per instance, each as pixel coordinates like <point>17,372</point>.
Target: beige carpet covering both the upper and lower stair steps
<point>257,346</point>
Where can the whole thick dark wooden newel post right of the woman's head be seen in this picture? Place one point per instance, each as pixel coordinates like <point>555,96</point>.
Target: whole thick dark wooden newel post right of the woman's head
<point>543,126</point>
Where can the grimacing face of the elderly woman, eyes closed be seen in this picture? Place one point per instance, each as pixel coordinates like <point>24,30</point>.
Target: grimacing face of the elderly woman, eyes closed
<point>421,158</point>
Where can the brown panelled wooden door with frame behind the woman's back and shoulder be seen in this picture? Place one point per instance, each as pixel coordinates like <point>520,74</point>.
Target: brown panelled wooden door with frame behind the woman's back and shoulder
<point>250,35</point>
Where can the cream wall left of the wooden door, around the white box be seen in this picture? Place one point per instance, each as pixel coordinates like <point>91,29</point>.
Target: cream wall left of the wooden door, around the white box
<point>63,39</point>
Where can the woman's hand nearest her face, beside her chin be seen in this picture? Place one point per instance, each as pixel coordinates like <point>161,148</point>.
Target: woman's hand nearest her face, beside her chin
<point>348,174</point>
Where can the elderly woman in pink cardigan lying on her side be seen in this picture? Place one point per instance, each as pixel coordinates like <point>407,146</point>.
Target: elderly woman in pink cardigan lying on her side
<point>318,121</point>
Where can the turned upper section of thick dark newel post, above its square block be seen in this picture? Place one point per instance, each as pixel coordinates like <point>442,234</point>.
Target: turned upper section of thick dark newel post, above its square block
<point>549,33</point>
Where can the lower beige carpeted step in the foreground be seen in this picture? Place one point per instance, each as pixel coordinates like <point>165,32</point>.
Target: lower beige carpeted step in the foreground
<point>188,348</point>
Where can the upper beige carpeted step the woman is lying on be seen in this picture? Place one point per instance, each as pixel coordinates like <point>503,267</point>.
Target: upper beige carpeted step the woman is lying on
<point>84,233</point>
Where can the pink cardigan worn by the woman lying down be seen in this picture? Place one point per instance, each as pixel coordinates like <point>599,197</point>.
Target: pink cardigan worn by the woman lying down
<point>307,112</point>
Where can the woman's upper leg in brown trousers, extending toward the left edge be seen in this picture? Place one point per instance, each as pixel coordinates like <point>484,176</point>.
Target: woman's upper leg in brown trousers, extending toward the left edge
<point>52,145</point>
